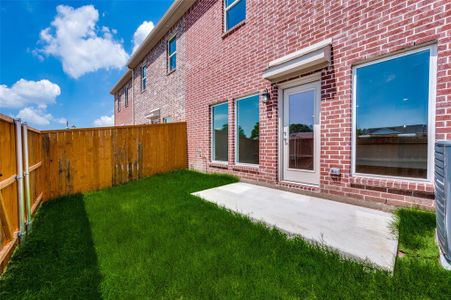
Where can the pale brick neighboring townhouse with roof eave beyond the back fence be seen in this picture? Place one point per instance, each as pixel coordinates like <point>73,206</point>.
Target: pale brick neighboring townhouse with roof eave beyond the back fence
<point>158,72</point>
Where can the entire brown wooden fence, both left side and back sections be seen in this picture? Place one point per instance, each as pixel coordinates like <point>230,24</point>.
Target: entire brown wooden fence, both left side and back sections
<point>63,162</point>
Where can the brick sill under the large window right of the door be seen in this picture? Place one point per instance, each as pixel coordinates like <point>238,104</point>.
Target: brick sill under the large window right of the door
<point>405,187</point>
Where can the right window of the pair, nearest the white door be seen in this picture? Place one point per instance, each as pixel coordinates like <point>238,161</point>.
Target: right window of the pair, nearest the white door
<point>247,130</point>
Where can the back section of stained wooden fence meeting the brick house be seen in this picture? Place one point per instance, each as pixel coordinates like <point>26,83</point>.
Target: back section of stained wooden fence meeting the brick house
<point>81,160</point>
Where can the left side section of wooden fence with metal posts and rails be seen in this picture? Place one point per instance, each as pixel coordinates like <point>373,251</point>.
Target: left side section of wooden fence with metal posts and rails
<point>21,181</point>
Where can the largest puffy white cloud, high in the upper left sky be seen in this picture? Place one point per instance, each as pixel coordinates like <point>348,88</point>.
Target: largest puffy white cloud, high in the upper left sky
<point>82,47</point>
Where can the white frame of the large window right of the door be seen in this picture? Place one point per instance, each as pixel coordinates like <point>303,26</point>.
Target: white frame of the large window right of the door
<point>431,114</point>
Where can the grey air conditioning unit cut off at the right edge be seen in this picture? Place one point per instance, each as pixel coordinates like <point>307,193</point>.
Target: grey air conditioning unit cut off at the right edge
<point>443,200</point>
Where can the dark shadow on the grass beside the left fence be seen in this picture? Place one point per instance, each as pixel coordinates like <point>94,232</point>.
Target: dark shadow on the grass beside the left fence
<point>58,259</point>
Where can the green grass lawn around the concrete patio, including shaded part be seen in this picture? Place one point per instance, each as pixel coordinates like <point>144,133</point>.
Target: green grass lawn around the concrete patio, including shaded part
<point>152,239</point>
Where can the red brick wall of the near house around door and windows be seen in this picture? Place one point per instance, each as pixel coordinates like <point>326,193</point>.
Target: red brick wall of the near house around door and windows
<point>223,67</point>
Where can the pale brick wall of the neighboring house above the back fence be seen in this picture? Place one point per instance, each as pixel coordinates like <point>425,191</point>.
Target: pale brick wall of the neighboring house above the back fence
<point>165,91</point>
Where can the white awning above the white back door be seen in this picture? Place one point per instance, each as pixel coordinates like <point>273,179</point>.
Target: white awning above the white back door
<point>308,59</point>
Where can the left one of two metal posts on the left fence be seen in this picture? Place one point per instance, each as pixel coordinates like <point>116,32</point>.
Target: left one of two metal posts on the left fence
<point>19,176</point>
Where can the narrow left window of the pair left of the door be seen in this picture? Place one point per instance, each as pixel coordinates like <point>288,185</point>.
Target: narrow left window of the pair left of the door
<point>220,132</point>
